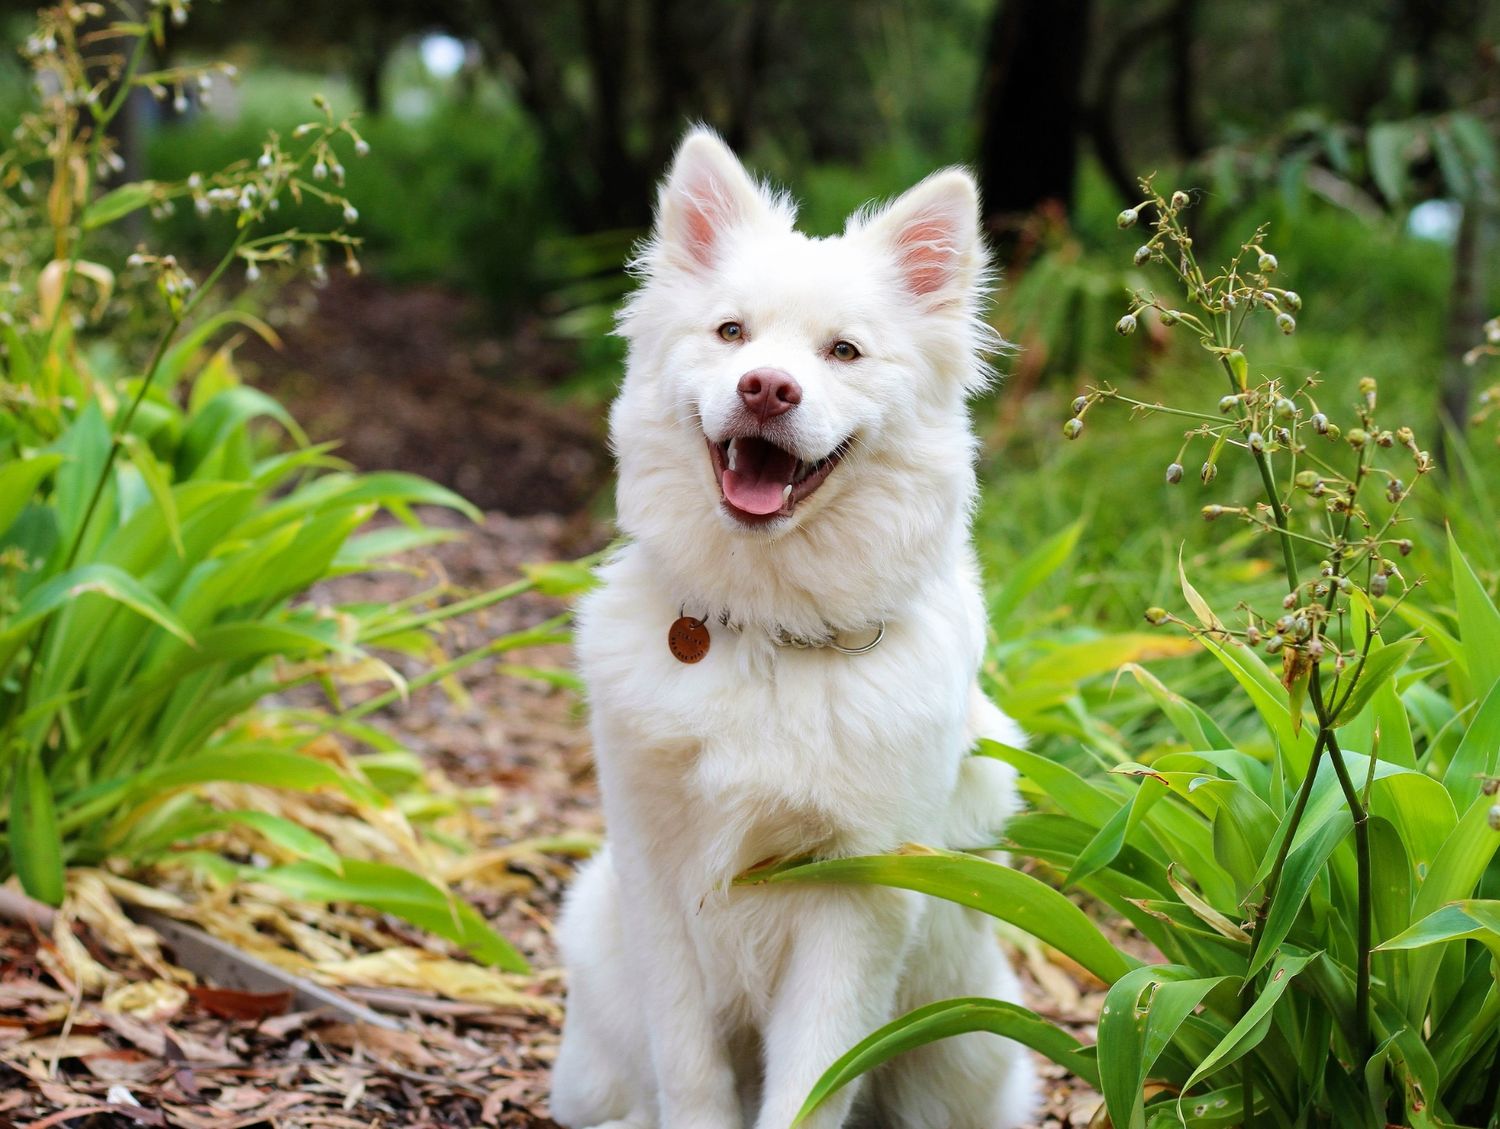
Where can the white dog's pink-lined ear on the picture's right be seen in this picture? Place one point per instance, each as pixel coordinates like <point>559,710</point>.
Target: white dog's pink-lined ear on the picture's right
<point>934,233</point>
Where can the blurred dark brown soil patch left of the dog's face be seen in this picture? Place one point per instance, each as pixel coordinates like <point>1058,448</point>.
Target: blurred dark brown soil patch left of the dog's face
<point>412,380</point>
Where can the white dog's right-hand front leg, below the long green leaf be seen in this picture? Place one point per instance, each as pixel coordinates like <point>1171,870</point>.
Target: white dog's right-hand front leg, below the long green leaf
<point>839,986</point>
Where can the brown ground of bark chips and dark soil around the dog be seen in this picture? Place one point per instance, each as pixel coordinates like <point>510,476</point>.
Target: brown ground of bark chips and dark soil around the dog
<point>410,382</point>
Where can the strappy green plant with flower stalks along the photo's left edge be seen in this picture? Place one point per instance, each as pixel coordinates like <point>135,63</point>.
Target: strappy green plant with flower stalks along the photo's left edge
<point>158,544</point>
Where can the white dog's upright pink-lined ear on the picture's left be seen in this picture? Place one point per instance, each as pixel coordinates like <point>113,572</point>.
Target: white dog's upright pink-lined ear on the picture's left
<point>704,197</point>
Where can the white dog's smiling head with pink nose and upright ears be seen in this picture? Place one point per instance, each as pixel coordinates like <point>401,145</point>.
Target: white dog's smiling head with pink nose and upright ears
<point>784,388</point>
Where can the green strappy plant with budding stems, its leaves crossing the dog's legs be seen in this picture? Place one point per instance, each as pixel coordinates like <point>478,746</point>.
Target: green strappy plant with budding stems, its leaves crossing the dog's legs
<point>1322,885</point>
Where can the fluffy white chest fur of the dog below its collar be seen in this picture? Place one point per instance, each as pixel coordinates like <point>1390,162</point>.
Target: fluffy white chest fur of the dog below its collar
<point>763,752</point>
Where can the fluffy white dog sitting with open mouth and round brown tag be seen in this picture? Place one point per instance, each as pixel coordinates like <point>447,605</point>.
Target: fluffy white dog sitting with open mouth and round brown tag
<point>784,663</point>
